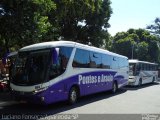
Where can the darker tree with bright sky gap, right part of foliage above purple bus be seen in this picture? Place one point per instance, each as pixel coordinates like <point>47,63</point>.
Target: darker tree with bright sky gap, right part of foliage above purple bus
<point>84,20</point>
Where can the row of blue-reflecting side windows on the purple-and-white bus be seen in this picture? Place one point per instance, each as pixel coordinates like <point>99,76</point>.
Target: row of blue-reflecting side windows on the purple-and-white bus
<point>90,59</point>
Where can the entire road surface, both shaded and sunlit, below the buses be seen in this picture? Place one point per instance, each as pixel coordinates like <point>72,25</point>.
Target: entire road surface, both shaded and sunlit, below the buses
<point>129,100</point>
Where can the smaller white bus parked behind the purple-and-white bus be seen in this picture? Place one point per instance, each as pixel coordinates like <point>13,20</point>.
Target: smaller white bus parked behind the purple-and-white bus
<point>142,72</point>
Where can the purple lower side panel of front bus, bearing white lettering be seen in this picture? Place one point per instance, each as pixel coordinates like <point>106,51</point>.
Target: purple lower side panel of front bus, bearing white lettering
<point>88,83</point>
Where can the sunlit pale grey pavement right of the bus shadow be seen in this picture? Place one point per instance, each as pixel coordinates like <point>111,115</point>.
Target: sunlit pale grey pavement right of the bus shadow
<point>128,101</point>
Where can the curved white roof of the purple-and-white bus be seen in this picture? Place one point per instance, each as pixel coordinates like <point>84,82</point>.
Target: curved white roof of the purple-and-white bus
<point>52,44</point>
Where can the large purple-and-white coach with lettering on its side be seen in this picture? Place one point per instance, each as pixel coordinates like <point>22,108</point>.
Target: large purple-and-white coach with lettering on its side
<point>56,71</point>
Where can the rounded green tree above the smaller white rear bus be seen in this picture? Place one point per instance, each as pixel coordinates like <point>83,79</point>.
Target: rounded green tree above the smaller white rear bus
<point>136,44</point>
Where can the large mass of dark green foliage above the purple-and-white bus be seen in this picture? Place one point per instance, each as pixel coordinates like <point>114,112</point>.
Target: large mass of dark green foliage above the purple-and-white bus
<point>31,21</point>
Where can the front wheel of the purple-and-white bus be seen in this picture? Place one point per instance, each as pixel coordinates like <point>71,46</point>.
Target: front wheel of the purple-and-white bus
<point>73,95</point>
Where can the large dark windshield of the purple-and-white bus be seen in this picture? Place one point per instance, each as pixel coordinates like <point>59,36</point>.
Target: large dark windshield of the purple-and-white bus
<point>30,67</point>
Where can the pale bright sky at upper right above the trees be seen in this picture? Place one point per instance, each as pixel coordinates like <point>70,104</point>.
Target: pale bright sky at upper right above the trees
<point>132,14</point>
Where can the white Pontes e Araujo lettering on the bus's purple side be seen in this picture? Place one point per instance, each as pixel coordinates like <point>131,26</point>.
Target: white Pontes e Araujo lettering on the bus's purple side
<point>90,79</point>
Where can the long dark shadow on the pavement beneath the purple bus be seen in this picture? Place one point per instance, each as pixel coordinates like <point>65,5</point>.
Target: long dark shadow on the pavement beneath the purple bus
<point>39,110</point>
